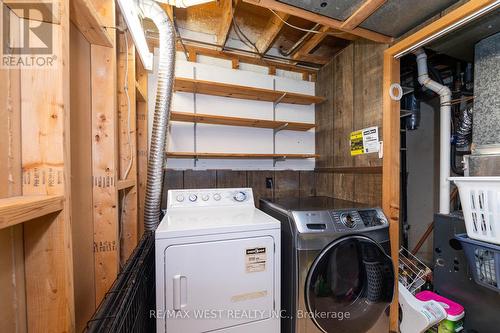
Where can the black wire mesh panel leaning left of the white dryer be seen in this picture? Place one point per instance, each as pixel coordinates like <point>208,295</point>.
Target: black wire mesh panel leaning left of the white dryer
<point>127,305</point>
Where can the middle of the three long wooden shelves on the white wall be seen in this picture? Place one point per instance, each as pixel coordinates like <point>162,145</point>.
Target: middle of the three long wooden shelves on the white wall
<point>236,121</point>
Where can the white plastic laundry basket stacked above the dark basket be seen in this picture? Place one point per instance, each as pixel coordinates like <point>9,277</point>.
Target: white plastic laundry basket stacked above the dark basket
<point>480,197</point>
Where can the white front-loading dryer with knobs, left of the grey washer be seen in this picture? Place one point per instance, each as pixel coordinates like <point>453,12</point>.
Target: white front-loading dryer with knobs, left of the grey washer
<point>217,264</point>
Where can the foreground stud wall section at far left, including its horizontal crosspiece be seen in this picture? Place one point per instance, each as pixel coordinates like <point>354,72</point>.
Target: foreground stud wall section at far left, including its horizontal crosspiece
<point>36,259</point>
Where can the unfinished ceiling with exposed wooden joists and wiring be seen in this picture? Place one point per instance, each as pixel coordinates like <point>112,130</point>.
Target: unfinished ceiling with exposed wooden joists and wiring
<point>301,34</point>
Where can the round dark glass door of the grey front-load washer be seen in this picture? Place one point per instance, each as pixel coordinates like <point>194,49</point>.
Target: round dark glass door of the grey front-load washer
<point>349,285</point>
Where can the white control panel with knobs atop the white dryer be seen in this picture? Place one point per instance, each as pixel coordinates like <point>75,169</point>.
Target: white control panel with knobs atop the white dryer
<point>210,197</point>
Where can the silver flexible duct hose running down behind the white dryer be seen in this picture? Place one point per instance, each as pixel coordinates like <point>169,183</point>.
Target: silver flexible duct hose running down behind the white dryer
<point>166,69</point>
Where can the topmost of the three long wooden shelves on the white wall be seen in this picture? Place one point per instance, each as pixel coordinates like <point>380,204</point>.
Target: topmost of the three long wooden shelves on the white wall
<point>243,92</point>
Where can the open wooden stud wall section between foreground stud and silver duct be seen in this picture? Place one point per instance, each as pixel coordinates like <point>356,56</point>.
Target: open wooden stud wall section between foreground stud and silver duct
<point>106,224</point>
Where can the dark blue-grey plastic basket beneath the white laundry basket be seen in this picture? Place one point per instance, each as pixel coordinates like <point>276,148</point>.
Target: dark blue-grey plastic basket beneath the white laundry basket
<point>484,261</point>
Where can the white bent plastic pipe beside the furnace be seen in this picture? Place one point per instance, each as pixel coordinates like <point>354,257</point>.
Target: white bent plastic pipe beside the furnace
<point>445,129</point>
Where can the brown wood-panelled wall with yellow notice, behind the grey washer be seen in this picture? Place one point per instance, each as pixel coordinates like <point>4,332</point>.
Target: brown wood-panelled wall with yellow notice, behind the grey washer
<point>352,83</point>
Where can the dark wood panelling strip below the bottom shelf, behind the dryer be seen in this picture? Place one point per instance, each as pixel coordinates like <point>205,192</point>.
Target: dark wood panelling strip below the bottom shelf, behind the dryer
<point>285,183</point>
